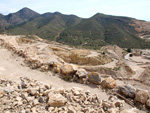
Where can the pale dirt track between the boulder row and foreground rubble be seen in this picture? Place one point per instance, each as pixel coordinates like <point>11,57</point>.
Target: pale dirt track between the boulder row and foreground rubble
<point>12,67</point>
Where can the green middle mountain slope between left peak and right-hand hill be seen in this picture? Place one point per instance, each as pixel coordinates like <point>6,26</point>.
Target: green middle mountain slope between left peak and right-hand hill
<point>48,25</point>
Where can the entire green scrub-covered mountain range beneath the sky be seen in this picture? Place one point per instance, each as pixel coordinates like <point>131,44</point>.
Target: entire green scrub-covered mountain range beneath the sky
<point>93,32</point>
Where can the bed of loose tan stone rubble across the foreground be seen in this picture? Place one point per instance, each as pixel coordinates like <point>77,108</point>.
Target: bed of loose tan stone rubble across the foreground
<point>32,96</point>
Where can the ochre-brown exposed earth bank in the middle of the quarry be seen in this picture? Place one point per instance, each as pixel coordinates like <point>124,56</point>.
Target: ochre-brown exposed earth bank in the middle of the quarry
<point>83,57</point>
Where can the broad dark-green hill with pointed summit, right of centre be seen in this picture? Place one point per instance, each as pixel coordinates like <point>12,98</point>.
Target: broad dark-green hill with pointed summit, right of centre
<point>103,29</point>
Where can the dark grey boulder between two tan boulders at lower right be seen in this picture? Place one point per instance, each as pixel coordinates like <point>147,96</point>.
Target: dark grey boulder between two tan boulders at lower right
<point>127,91</point>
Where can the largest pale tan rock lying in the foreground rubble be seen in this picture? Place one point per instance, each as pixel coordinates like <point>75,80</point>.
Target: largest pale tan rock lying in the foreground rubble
<point>56,100</point>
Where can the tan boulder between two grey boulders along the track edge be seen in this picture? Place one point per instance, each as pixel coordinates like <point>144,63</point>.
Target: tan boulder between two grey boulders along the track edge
<point>108,83</point>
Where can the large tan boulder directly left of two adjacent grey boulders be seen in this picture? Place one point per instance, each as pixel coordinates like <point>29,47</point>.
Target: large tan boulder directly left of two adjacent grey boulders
<point>68,69</point>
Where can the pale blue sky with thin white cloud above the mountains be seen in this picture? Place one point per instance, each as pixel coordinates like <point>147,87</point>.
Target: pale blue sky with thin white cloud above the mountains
<point>139,9</point>
